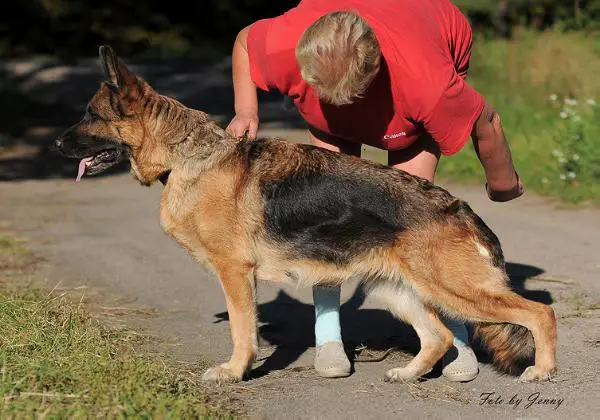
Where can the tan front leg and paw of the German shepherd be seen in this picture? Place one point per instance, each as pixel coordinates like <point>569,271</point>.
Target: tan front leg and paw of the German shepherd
<point>238,283</point>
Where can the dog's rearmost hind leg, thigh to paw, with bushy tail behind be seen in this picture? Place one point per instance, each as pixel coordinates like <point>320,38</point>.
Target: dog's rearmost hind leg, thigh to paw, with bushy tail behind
<point>458,268</point>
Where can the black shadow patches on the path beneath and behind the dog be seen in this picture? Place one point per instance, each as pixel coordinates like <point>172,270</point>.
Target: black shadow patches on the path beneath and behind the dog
<point>288,324</point>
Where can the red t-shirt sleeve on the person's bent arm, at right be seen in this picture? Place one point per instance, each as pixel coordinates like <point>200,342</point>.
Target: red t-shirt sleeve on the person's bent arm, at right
<point>452,119</point>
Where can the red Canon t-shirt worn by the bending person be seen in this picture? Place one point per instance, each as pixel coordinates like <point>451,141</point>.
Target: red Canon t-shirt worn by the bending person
<point>426,46</point>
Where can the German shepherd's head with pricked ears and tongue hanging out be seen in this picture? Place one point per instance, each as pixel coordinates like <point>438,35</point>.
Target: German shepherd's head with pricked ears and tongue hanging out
<point>117,125</point>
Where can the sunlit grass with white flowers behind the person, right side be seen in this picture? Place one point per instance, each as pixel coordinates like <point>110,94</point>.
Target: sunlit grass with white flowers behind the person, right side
<point>545,87</point>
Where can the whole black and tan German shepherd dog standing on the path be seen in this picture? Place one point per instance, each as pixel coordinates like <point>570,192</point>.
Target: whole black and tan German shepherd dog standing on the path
<point>272,210</point>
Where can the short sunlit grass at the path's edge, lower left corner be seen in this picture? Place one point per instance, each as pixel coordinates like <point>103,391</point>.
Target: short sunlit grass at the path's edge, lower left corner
<point>57,360</point>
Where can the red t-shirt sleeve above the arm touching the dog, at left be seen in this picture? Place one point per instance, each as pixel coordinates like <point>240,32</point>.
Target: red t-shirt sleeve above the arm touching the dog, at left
<point>257,54</point>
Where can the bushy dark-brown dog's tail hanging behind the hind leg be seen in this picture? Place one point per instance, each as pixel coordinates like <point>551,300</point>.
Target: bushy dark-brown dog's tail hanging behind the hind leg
<point>511,346</point>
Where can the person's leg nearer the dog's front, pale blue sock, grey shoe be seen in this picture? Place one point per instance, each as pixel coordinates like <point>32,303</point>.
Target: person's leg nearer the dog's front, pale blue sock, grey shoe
<point>331,360</point>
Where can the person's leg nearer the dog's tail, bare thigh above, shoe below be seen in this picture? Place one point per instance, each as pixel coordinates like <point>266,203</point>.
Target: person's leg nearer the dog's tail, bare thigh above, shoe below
<point>421,159</point>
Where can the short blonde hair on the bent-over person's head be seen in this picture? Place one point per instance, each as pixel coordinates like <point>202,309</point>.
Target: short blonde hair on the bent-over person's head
<point>338,56</point>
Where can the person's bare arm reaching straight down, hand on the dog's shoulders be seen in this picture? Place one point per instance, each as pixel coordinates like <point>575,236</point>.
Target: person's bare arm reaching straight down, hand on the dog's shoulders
<point>246,102</point>
